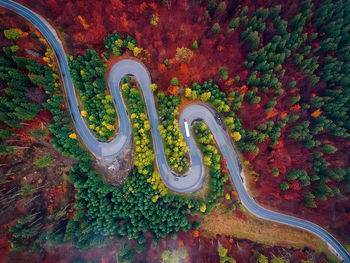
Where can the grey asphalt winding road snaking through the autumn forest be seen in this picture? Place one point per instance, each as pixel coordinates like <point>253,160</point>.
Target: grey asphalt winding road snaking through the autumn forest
<point>194,179</point>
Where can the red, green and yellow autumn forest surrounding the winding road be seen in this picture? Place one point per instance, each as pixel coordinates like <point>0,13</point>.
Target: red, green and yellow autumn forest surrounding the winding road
<point>278,76</point>
